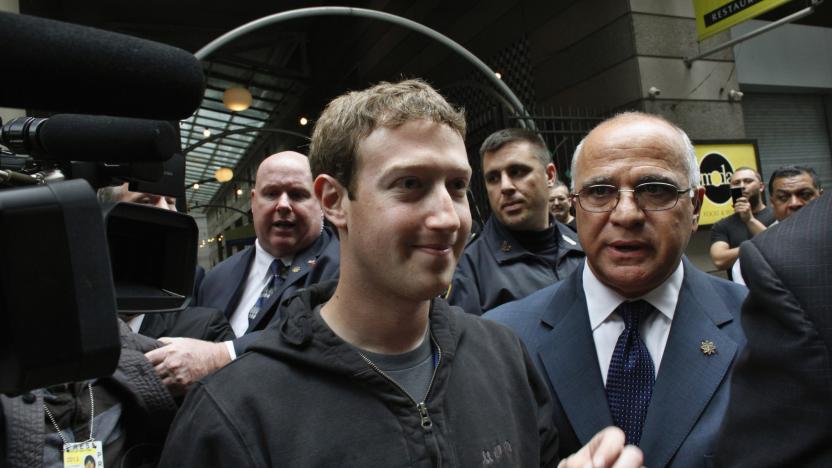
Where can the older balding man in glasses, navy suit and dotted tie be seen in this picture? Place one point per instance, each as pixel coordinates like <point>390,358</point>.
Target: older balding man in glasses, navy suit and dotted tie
<point>638,337</point>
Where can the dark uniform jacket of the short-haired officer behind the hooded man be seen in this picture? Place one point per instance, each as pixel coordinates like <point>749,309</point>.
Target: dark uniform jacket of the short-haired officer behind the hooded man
<point>495,268</point>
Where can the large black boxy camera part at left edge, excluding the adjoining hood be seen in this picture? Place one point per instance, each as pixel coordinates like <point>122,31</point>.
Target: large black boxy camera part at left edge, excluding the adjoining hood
<point>57,302</point>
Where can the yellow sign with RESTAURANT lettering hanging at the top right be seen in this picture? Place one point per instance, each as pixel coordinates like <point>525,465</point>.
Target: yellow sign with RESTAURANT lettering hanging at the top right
<point>713,16</point>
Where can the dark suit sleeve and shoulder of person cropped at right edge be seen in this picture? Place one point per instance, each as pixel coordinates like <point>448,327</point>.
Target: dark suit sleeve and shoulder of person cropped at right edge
<point>781,395</point>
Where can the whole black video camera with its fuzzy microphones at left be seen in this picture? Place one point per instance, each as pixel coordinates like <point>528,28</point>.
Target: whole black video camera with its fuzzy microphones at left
<point>68,264</point>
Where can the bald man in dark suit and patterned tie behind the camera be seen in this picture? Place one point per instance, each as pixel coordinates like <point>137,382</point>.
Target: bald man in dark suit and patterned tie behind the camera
<point>293,250</point>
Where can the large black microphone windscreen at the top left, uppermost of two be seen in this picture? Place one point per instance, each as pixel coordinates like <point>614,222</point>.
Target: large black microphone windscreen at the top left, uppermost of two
<point>62,67</point>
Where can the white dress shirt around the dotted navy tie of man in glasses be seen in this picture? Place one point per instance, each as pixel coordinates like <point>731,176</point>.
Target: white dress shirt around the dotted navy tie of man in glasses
<point>601,301</point>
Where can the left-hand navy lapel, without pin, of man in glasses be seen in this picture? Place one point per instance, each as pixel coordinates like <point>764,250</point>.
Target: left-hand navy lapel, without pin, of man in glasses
<point>571,361</point>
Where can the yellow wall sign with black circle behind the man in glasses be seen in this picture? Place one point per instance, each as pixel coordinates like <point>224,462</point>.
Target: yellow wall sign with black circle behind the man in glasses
<point>717,163</point>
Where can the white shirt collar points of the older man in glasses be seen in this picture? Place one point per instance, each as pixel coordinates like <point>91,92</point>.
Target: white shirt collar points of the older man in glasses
<point>601,300</point>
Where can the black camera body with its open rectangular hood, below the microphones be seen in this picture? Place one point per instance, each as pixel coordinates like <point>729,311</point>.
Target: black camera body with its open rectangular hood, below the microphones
<point>70,265</point>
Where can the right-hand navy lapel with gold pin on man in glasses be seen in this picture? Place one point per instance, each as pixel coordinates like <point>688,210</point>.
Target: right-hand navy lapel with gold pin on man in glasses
<point>687,377</point>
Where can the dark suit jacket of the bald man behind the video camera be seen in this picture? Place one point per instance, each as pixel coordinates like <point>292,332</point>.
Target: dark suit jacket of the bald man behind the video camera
<point>224,284</point>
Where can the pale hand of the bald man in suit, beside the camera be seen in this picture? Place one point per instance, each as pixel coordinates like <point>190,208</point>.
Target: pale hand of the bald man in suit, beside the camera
<point>183,361</point>
